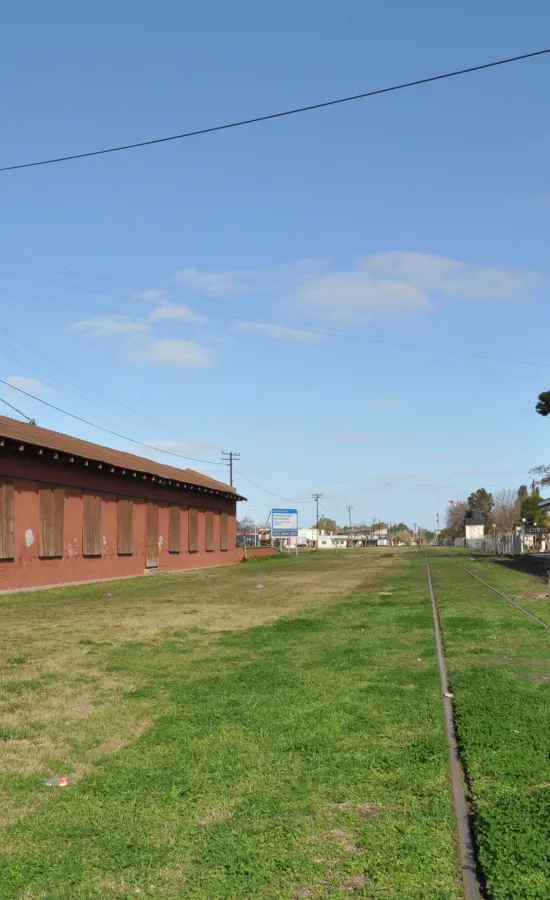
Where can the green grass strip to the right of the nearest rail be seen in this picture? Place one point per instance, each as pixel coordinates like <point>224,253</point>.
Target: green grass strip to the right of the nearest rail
<point>499,667</point>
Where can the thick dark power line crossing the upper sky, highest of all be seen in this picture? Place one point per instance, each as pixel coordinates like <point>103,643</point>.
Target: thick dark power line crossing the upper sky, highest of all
<point>278,115</point>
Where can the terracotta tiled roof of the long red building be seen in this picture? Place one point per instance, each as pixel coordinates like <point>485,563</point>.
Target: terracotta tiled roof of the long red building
<point>53,440</point>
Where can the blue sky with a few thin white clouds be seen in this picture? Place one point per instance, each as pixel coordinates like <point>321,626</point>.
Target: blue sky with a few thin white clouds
<point>355,298</point>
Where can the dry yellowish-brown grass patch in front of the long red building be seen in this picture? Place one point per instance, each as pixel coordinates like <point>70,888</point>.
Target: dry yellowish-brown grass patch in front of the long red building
<point>61,708</point>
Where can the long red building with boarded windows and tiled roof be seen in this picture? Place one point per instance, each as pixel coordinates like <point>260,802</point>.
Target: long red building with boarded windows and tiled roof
<point>72,511</point>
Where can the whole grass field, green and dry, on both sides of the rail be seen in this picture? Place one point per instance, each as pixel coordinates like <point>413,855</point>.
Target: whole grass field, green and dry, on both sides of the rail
<point>230,741</point>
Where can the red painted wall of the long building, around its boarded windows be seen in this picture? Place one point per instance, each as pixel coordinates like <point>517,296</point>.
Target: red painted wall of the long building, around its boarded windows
<point>28,569</point>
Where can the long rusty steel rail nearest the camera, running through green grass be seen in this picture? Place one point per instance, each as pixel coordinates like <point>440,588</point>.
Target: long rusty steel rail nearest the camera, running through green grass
<point>466,843</point>
